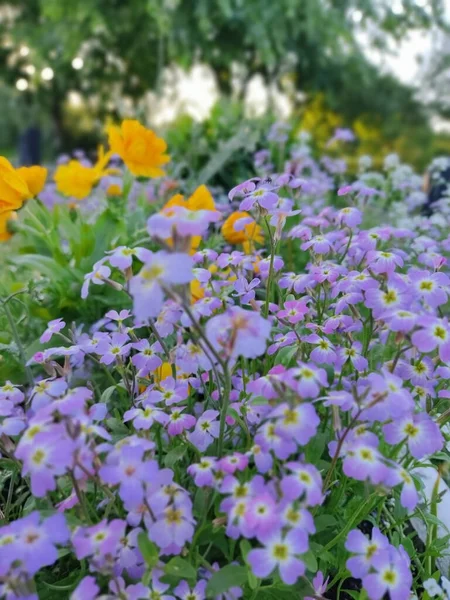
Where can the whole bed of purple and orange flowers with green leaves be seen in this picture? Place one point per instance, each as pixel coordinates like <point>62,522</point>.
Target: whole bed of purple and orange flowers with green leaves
<point>234,394</point>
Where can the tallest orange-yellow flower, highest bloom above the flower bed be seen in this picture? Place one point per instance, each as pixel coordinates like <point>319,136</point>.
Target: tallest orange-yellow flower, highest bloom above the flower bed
<point>140,149</point>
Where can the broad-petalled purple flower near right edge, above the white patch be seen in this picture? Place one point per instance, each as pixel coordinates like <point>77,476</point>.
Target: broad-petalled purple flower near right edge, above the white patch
<point>421,433</point>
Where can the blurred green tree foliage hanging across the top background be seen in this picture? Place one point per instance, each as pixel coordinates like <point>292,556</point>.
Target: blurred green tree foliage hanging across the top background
<point>114,51</point>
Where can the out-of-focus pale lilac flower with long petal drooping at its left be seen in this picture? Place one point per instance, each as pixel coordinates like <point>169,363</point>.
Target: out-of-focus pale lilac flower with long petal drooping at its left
<point>160,270</point>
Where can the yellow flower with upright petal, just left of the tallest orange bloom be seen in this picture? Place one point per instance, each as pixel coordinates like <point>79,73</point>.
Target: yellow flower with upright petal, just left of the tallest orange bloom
<point>74,179</point>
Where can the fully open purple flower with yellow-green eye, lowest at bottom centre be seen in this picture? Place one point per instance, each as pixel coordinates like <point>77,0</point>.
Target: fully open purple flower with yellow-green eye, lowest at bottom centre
<point>281,553</point>
